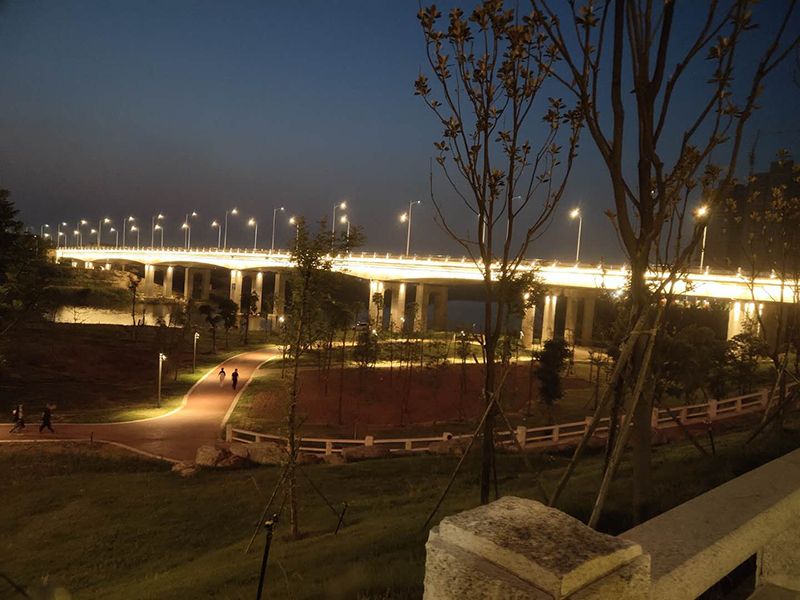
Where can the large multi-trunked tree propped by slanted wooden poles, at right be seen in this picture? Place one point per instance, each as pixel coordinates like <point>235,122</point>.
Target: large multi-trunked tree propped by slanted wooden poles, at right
<point>651,182</point>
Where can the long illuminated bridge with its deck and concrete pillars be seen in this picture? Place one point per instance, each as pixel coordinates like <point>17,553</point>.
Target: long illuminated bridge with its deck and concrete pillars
<point>391,275</point>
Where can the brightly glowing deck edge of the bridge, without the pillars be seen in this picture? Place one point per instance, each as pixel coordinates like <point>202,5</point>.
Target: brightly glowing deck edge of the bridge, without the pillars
<point>440,269</point>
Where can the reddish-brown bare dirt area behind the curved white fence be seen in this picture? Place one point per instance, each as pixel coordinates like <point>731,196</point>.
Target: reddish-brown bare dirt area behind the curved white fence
<point>379,397</point>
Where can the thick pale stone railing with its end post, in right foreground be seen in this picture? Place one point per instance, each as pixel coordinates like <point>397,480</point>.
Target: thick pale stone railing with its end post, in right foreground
<point>516,548</point>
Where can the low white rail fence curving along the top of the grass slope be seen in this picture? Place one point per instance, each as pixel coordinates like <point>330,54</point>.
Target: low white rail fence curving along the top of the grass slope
<point>549,435</point>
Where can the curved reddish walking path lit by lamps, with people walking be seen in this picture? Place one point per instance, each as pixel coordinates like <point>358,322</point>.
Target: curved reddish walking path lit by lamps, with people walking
<point>174,436</point>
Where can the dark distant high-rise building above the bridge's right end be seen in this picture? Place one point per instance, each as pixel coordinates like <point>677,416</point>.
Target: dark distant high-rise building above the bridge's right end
<point>727,242</point>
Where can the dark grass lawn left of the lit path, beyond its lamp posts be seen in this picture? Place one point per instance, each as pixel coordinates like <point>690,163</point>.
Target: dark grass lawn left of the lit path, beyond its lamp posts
<point>97,373</point>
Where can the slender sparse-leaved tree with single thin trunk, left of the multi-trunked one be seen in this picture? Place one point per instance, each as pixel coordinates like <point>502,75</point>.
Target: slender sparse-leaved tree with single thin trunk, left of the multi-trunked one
<point>489,70</point>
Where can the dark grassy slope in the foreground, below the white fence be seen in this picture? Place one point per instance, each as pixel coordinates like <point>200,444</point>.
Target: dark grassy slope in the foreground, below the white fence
<point>111,525</point>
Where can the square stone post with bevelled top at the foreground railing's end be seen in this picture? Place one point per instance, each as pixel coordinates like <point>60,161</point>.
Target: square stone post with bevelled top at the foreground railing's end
<point>521,549</point>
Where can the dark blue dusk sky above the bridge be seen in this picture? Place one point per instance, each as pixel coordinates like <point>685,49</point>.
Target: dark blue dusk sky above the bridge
<point>111,108</point>
